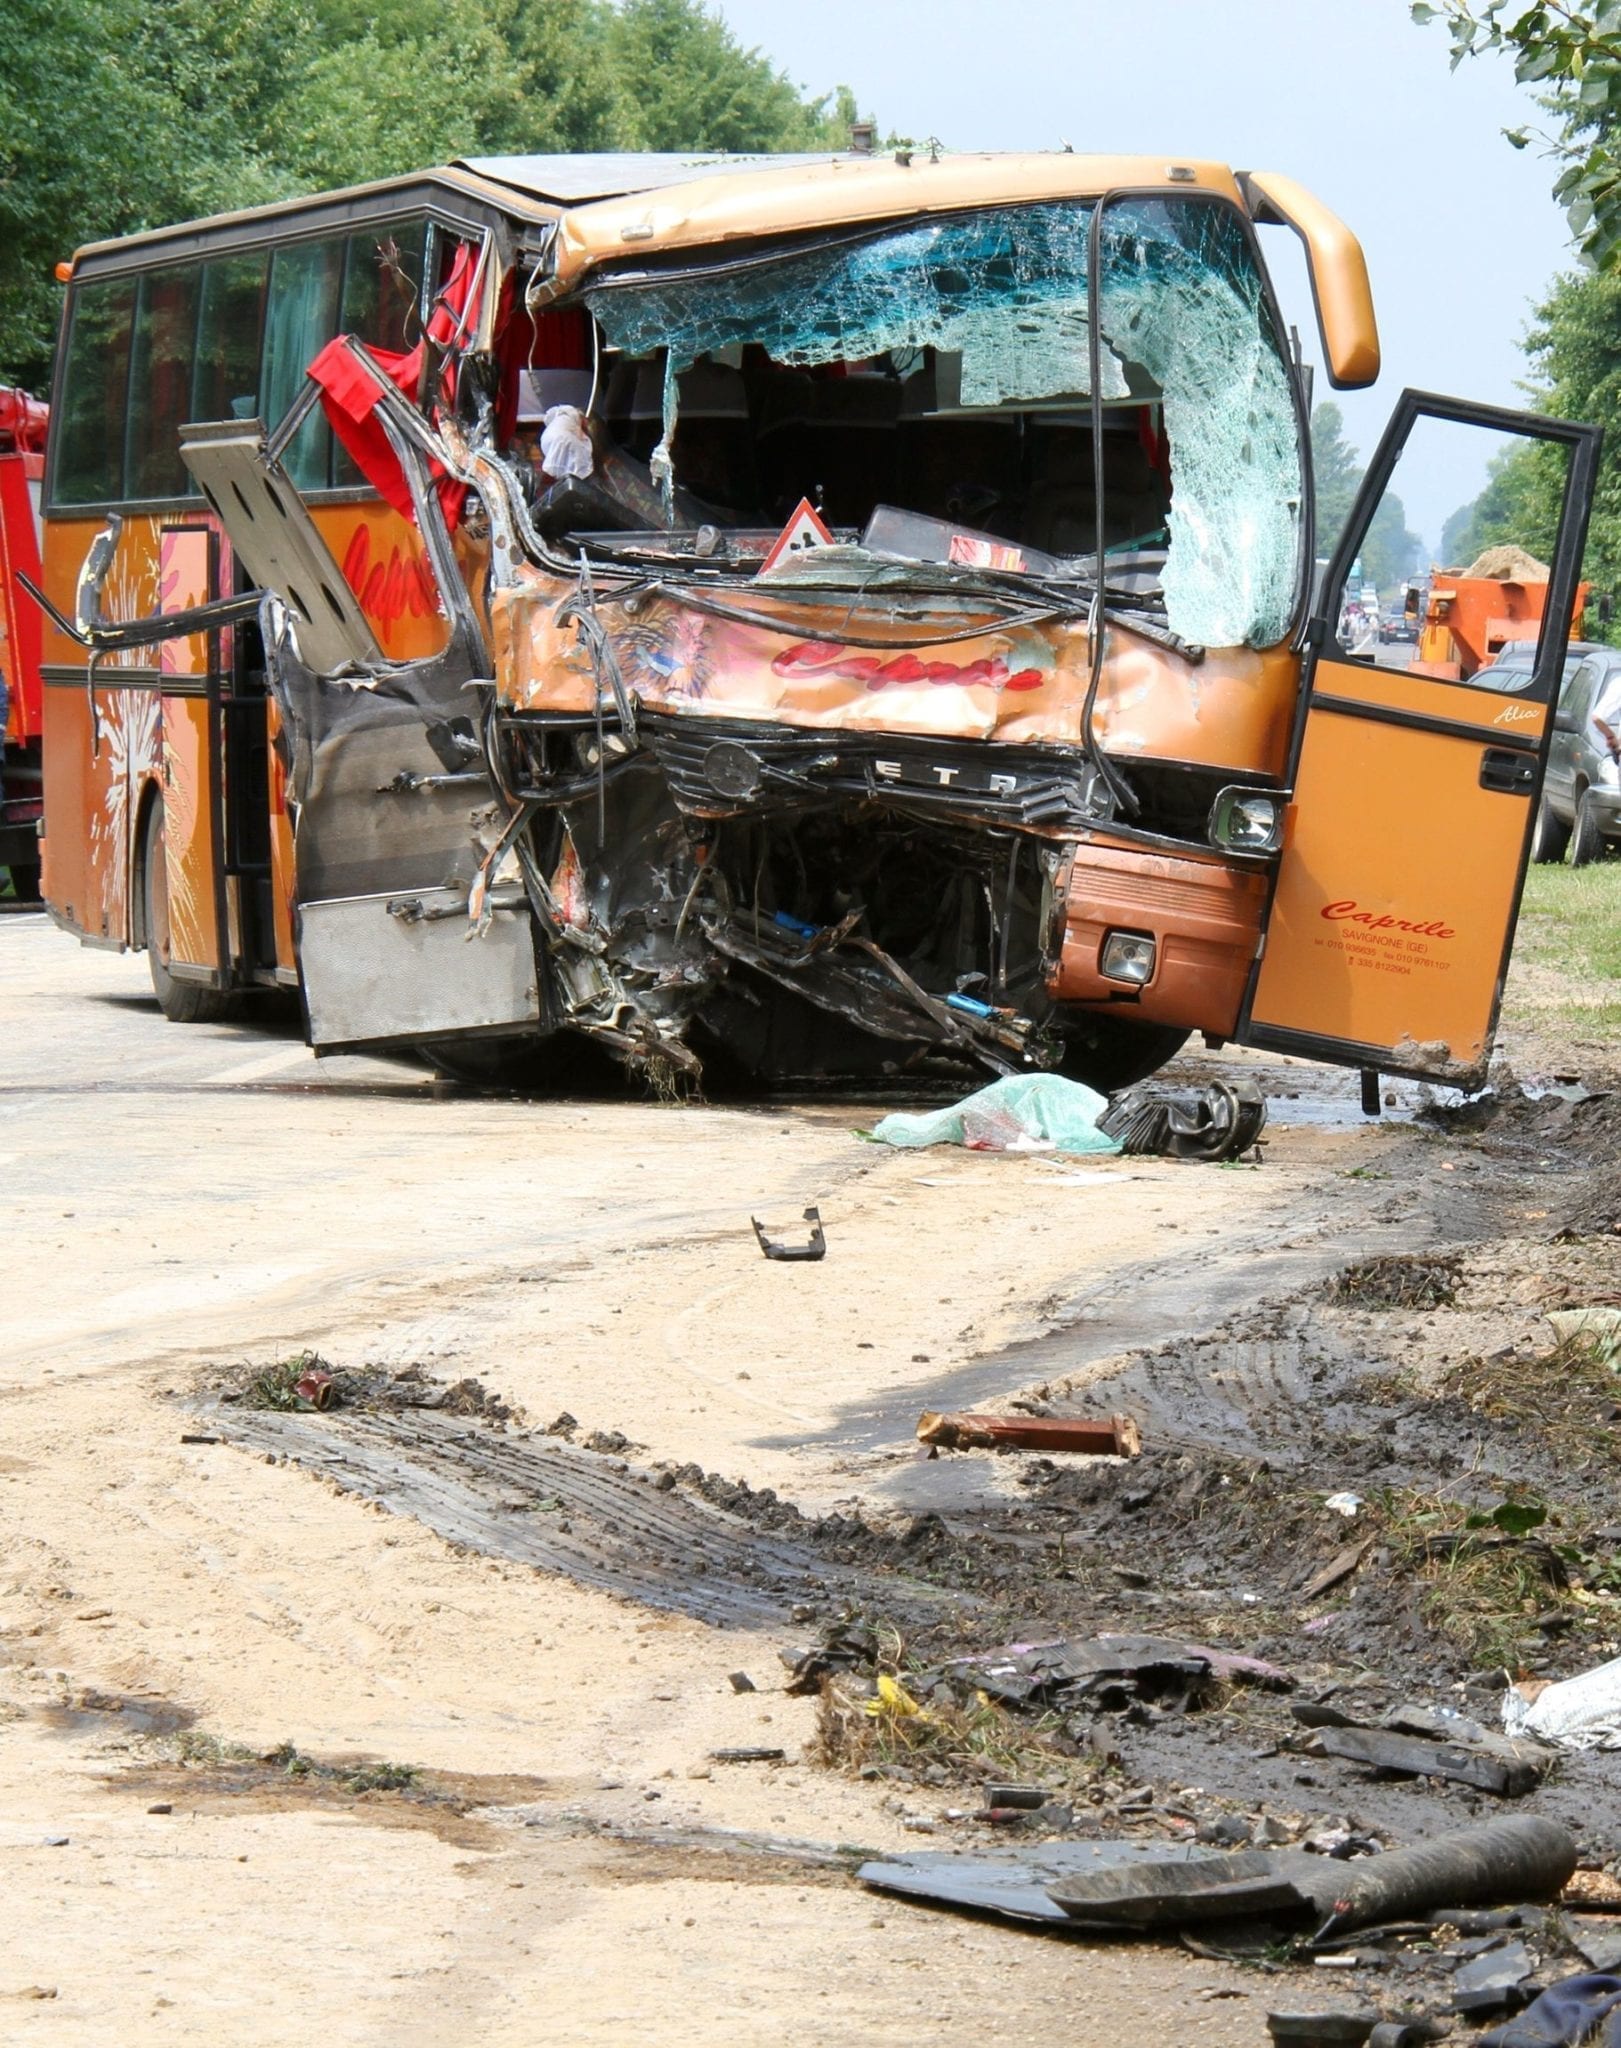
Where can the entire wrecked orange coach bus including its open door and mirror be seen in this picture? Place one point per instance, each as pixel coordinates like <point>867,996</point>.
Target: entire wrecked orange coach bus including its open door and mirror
<point>826,613</point>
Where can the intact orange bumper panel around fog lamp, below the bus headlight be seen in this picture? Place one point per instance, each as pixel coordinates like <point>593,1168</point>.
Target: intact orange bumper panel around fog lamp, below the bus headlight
<point>1204,921</point>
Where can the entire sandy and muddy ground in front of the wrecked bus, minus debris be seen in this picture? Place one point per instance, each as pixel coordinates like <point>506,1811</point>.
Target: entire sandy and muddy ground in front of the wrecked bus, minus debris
<point>400,1719</point>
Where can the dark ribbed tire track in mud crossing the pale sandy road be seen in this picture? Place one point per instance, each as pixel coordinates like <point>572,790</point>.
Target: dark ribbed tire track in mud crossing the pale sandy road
<point>550,1504</point>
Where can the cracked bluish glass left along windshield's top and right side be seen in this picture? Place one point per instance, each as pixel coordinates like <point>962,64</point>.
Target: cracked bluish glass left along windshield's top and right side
<point>1186,325</point>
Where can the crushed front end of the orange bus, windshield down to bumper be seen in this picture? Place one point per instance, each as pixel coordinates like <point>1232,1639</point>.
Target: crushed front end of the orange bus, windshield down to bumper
<point>945,775</point>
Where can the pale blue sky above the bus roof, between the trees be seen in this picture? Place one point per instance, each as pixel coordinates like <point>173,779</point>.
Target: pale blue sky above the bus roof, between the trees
<point>1460,230</point>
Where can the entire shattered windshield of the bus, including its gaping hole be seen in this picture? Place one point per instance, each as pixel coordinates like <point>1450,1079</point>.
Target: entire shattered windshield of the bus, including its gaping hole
<point>981,323</point>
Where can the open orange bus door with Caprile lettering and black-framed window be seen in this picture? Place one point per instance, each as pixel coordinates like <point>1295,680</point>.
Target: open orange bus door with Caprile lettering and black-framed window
<point>1407,835</point>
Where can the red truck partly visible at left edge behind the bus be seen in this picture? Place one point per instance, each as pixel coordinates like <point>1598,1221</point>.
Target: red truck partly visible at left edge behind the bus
<point>21,468</point>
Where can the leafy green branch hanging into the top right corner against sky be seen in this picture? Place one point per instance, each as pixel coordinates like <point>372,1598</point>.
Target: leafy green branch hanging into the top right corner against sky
<point>1575,54</point>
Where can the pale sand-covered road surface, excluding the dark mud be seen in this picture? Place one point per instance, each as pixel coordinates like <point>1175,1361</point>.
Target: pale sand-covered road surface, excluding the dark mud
<point>181,1199</point>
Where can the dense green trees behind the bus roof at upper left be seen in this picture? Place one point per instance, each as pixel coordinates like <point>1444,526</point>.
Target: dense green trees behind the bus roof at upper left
<point>118,118</point>
